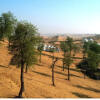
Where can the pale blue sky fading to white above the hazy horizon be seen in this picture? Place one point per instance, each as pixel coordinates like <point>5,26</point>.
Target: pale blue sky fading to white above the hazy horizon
<point>57,16</point>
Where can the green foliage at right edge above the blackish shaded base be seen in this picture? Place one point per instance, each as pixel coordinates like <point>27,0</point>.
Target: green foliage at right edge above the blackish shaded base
<point>92,49</point>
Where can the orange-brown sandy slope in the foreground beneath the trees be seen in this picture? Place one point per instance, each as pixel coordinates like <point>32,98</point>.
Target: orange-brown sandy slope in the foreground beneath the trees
<point>38,80</point>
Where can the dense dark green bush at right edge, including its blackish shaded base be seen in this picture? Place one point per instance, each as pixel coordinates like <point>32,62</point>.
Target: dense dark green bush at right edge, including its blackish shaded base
<point>92,61</point>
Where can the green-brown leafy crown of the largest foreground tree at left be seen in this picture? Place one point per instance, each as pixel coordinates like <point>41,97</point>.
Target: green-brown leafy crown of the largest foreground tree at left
<point>24,43</point>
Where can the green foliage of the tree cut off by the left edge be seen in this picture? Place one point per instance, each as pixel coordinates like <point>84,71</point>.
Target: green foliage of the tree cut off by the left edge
<point>7,25</point>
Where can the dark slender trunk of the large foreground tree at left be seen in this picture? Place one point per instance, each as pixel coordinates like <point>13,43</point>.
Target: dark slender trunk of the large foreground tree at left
<point>22,80</point>
